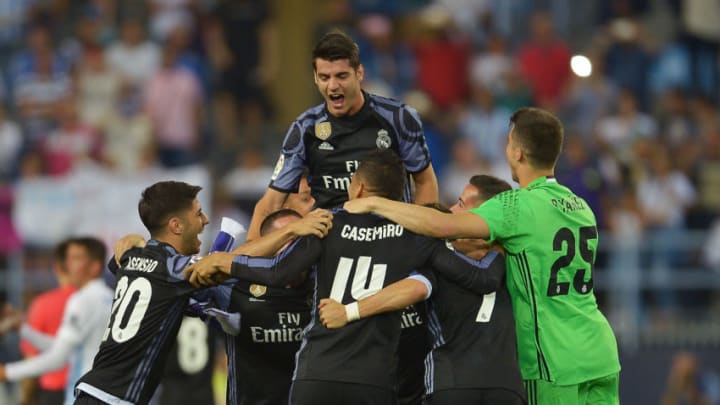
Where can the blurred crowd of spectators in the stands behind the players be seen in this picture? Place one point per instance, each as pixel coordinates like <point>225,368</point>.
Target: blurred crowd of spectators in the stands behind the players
<point>129,85</point>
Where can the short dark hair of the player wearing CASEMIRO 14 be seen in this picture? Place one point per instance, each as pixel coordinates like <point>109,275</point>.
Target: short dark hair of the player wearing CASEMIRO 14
<point>384,174</point>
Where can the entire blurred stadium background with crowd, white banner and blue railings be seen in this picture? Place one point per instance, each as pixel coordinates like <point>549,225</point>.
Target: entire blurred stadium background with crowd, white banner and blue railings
<point>100,98</point>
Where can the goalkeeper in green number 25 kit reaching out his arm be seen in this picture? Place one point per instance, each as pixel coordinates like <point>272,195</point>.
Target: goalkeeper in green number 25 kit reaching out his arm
<point>567,350</point>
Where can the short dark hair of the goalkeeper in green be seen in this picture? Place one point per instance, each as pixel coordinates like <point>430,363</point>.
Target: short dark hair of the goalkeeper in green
<point>540,134</point>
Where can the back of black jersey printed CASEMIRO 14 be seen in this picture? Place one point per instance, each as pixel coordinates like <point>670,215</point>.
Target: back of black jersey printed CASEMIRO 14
<point>360,255</point>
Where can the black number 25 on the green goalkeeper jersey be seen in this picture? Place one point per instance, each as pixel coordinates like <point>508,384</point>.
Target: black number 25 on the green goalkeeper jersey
<point>566,237</point>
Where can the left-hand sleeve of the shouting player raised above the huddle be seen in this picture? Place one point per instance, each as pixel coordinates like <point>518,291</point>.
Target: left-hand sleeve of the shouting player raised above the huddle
<point>290,164</point>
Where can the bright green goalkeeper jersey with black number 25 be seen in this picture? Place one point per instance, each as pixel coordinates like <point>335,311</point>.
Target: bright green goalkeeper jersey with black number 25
<point>550,237</point>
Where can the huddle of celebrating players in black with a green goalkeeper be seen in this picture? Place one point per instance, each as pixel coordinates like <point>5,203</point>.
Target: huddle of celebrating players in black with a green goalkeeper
<point>379,295</point>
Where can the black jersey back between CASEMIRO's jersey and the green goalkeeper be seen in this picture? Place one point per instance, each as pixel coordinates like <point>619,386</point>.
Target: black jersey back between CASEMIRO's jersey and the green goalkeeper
<point>474,342</point>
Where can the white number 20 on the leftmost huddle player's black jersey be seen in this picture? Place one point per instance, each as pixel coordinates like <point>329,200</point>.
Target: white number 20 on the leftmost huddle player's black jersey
<point>134,298</point>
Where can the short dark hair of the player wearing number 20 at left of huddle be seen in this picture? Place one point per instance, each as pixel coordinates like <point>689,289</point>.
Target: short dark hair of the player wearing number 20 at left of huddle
<point>164,199</point>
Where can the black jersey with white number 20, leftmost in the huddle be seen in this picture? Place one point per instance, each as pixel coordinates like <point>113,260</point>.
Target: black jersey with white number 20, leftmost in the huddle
<point>150,298</point>
